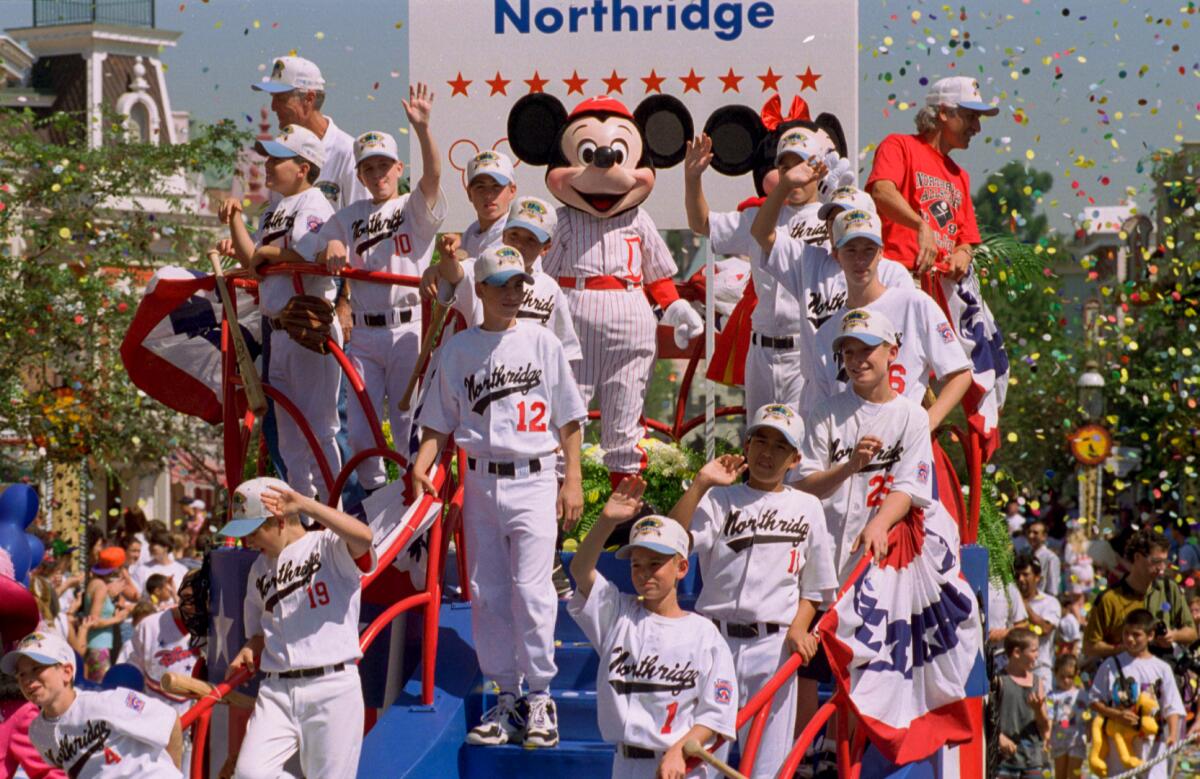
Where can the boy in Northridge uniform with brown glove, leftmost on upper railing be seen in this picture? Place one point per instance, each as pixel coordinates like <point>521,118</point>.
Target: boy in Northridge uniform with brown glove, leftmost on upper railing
<point>289,233</point>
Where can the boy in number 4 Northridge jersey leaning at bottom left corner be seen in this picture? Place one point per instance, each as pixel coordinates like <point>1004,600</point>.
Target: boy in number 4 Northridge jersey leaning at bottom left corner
<point>106,735</point>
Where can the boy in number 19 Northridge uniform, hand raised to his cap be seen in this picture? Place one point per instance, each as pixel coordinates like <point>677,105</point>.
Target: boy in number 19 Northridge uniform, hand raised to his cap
<point>302,615</point>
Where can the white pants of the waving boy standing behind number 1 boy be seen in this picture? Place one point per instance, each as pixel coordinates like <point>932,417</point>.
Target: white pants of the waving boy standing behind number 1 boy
<point>755,661</point>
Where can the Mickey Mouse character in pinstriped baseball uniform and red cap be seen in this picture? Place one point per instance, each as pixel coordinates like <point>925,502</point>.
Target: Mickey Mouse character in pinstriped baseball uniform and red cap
<point>608,254</point>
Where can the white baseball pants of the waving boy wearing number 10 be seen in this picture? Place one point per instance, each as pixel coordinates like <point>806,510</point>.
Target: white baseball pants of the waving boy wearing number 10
<point>385,358</point>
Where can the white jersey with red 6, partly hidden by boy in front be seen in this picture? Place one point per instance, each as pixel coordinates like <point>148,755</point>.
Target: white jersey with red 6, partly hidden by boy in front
<point>927,340</point>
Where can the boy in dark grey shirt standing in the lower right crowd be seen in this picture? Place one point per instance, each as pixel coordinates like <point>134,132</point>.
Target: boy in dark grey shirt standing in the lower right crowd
<point>1024,723</point>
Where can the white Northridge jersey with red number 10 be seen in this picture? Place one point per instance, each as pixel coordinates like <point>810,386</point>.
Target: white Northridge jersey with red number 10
<point>394,237</point>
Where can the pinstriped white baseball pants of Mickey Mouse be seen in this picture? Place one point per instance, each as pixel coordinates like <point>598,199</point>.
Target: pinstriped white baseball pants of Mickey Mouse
<point>617,337</point>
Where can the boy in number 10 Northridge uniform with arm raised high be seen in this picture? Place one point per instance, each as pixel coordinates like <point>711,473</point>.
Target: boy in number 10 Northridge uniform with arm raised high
<point>392,233</point>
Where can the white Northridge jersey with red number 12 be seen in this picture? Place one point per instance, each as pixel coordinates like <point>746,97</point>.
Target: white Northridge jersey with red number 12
<point>503,396</point>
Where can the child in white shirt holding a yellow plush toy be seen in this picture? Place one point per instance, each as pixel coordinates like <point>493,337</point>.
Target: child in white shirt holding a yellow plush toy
<point>1123,679</point>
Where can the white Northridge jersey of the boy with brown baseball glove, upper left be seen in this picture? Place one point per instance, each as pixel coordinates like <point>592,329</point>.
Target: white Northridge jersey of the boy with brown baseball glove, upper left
<point>295,223</point>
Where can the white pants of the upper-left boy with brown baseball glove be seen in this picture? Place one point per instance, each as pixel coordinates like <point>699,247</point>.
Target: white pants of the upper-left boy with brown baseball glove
<point>310,381</point>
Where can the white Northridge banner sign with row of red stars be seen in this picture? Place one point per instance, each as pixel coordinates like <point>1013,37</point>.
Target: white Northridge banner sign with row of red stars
<point>482,56</point>
